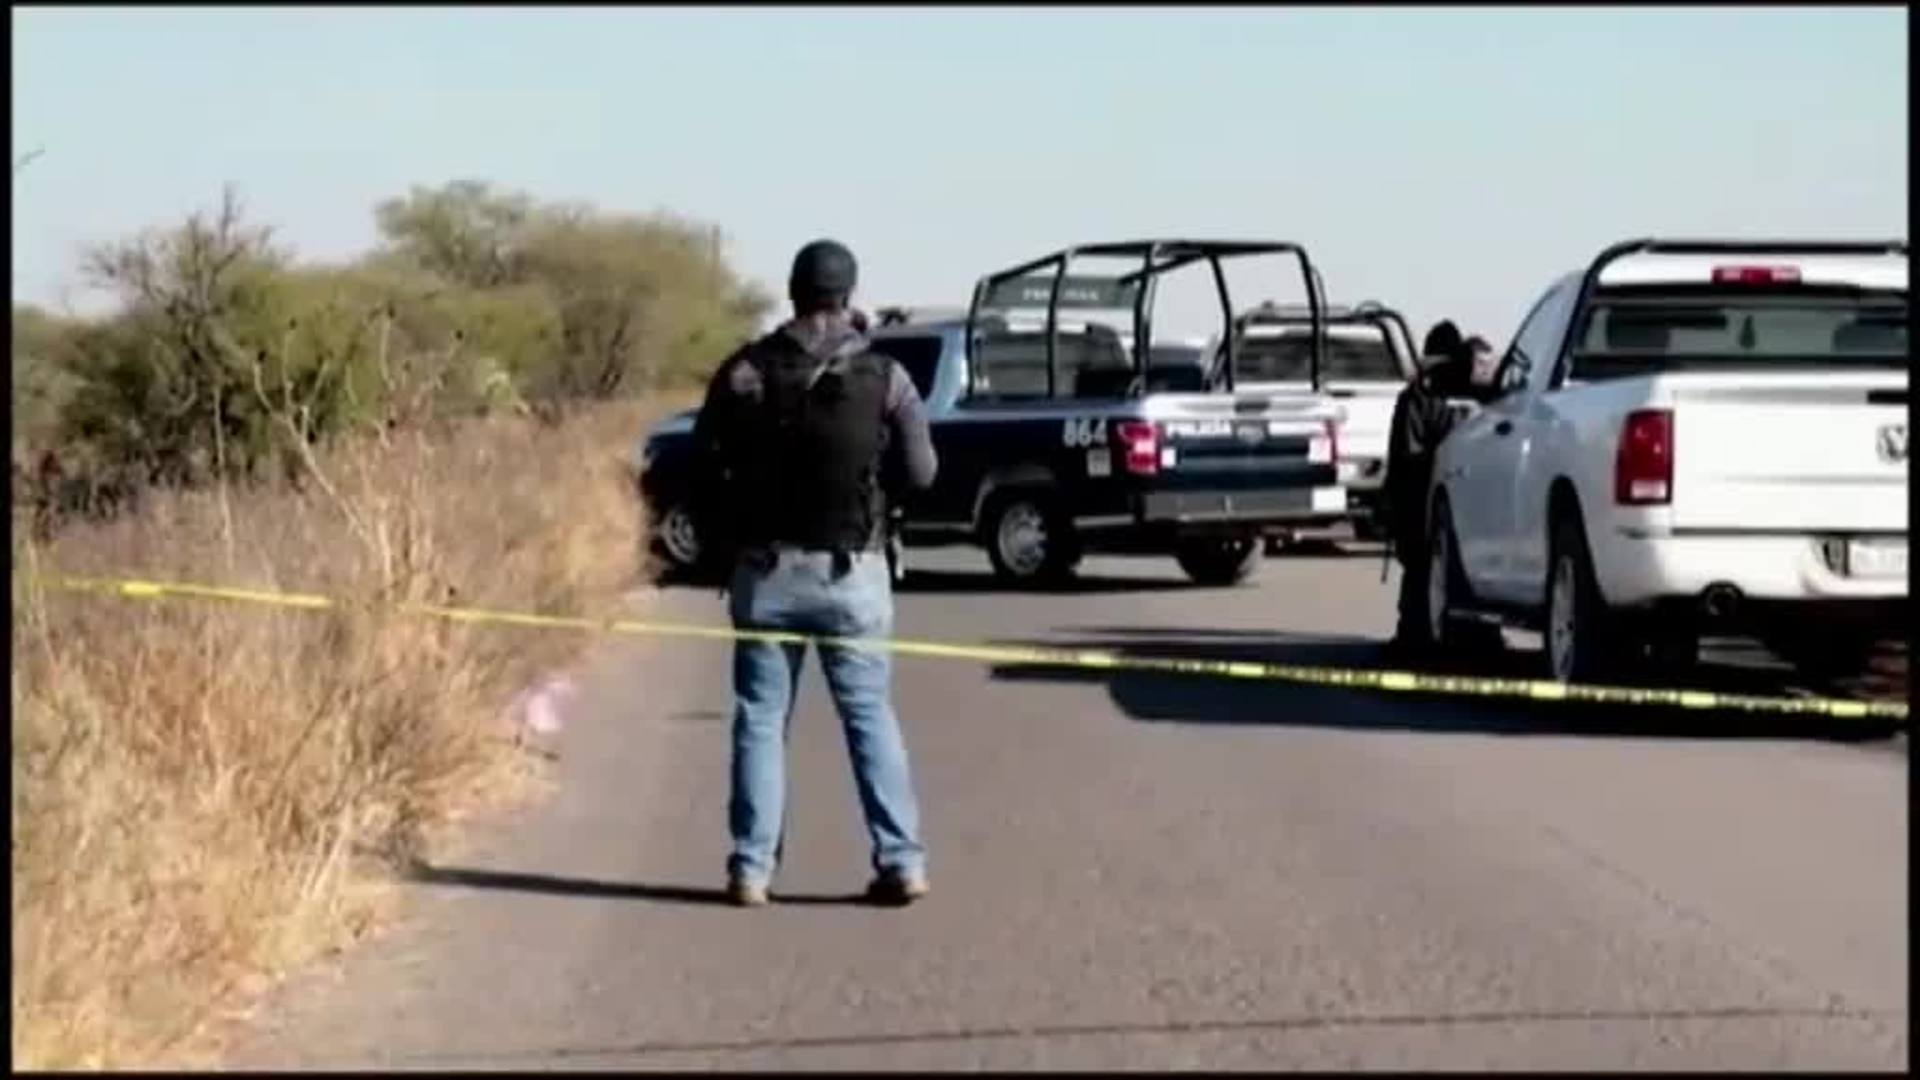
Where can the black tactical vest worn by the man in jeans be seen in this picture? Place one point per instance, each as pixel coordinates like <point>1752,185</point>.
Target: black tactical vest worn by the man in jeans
<point>809,458</point>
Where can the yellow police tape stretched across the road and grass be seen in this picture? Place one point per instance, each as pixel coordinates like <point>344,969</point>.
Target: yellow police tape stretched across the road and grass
<point>1038,656</point>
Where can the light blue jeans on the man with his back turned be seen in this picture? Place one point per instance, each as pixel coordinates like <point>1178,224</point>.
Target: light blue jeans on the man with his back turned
<point>802,595</point>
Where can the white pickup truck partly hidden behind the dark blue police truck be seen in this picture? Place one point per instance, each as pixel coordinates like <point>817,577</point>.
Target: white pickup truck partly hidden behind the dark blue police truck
<point>1370,360</point>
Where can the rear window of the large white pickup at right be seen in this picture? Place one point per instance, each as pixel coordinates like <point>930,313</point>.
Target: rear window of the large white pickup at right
<point>1739,328</point>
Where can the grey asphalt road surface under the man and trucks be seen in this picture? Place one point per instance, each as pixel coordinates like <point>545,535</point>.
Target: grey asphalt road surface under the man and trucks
<point>1161,873</point>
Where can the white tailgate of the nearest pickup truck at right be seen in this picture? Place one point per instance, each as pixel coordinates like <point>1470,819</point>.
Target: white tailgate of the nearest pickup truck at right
<point>1808,453</point>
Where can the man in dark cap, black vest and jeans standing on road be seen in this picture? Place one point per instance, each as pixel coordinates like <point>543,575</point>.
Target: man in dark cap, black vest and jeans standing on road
<point>804,439</point>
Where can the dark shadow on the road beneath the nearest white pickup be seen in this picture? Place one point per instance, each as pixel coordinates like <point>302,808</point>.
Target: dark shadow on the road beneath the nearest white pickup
<point>1164,697</point>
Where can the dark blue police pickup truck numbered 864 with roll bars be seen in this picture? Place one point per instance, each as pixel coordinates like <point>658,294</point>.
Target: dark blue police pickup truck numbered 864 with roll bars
<point>1061,431</point>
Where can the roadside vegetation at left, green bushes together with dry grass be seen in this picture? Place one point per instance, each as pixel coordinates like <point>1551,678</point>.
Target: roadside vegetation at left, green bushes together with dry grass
<point>204,795</point>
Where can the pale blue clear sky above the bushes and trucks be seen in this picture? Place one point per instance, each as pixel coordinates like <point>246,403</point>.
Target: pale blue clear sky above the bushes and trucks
<point>1441,160</point>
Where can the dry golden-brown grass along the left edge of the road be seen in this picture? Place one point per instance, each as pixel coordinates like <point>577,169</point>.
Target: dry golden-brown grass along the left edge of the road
<point>204,795</point>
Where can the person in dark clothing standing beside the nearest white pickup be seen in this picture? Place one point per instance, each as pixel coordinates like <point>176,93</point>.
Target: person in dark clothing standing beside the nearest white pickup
<point>1422,420</point>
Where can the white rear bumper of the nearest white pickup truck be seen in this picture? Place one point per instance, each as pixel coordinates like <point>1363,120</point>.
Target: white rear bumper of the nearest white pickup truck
<point>1648,570</point>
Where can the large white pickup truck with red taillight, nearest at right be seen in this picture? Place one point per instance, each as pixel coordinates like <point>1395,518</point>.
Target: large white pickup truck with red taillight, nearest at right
<point>1683,439</point>
